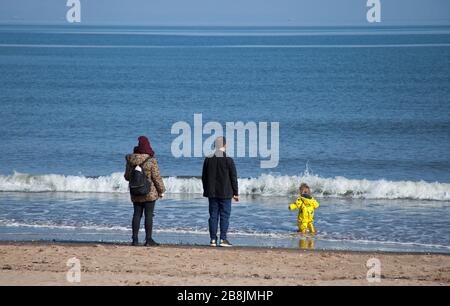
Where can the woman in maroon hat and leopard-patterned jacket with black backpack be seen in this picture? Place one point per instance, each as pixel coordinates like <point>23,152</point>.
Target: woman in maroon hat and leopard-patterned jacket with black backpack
<point>143,156</point>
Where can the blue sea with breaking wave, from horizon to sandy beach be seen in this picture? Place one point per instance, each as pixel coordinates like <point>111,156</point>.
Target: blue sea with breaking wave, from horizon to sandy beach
<point>363,113</point>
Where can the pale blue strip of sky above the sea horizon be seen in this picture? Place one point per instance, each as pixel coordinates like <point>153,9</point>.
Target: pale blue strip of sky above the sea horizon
<point>227,12</point>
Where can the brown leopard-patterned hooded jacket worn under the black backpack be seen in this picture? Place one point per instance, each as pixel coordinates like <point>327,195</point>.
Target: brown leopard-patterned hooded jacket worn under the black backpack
<point>151,170</point>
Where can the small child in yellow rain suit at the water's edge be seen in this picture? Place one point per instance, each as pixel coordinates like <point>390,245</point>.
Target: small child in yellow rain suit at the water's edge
<point>306,205</point>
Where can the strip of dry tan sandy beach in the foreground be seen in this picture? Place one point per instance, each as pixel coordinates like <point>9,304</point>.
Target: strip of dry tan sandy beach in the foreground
<point>109,264</point>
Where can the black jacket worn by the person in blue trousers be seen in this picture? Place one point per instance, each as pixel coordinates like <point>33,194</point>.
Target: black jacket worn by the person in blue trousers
<point>219,177</point>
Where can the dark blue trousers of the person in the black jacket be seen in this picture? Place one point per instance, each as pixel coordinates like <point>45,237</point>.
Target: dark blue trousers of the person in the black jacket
<point>219,209</point>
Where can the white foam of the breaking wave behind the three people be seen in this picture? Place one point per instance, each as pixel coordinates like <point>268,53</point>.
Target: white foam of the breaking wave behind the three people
<point>264,185</point>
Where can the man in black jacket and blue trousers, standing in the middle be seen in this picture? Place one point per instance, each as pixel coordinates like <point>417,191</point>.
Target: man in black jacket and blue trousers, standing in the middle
<point>220,185</point>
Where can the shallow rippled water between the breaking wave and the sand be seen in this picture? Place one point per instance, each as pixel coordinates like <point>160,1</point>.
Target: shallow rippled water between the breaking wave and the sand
<point>361,224</point>
